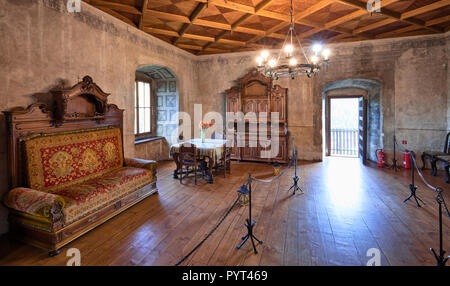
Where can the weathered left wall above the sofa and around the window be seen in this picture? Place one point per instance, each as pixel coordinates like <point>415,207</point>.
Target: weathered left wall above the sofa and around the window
<point>42,45</point>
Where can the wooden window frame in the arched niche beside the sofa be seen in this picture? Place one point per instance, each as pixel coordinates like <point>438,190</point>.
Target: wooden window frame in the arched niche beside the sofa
<point>153,112</point>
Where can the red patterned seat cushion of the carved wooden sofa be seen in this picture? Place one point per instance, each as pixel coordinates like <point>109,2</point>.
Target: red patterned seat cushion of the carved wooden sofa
<point>87,197</point>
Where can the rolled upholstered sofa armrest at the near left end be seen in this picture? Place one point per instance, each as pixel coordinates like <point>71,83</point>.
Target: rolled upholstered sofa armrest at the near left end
<point>35,202</point>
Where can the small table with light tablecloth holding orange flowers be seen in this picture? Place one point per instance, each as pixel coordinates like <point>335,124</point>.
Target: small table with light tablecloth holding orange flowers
<point>211,150</point>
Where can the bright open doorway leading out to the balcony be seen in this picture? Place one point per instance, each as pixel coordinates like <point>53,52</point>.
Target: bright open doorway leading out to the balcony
<point>346,126</point>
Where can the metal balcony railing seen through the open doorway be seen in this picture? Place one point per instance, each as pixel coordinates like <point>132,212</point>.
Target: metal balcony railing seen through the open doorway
<point>344,142</point>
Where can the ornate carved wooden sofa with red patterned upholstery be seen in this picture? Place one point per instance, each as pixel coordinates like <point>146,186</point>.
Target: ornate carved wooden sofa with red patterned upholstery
<point>66,167</point>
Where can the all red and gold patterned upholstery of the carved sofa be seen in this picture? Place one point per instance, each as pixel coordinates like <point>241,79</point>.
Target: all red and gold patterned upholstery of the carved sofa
<point>81,171</point>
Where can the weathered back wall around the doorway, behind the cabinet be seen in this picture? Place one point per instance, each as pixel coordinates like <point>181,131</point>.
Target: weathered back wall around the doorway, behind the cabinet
<point>413,73</point>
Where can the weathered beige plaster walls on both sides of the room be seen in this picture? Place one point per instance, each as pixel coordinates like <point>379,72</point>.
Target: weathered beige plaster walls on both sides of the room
<point>43,45</point>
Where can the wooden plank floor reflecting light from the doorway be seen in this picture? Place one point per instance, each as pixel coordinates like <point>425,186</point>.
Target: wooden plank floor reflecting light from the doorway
<point>346,209</point>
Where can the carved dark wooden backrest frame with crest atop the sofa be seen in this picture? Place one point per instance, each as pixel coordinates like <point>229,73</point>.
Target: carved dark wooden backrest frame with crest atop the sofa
<point>82,106</point>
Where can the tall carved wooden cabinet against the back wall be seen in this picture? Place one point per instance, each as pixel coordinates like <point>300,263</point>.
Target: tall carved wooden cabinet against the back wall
<point>256,94</point>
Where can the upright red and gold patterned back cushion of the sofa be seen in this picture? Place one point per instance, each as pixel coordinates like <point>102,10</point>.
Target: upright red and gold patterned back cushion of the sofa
<point>56,161</point>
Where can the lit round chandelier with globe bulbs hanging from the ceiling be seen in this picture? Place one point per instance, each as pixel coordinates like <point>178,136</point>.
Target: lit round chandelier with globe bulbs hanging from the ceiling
<point>288,65</point>
